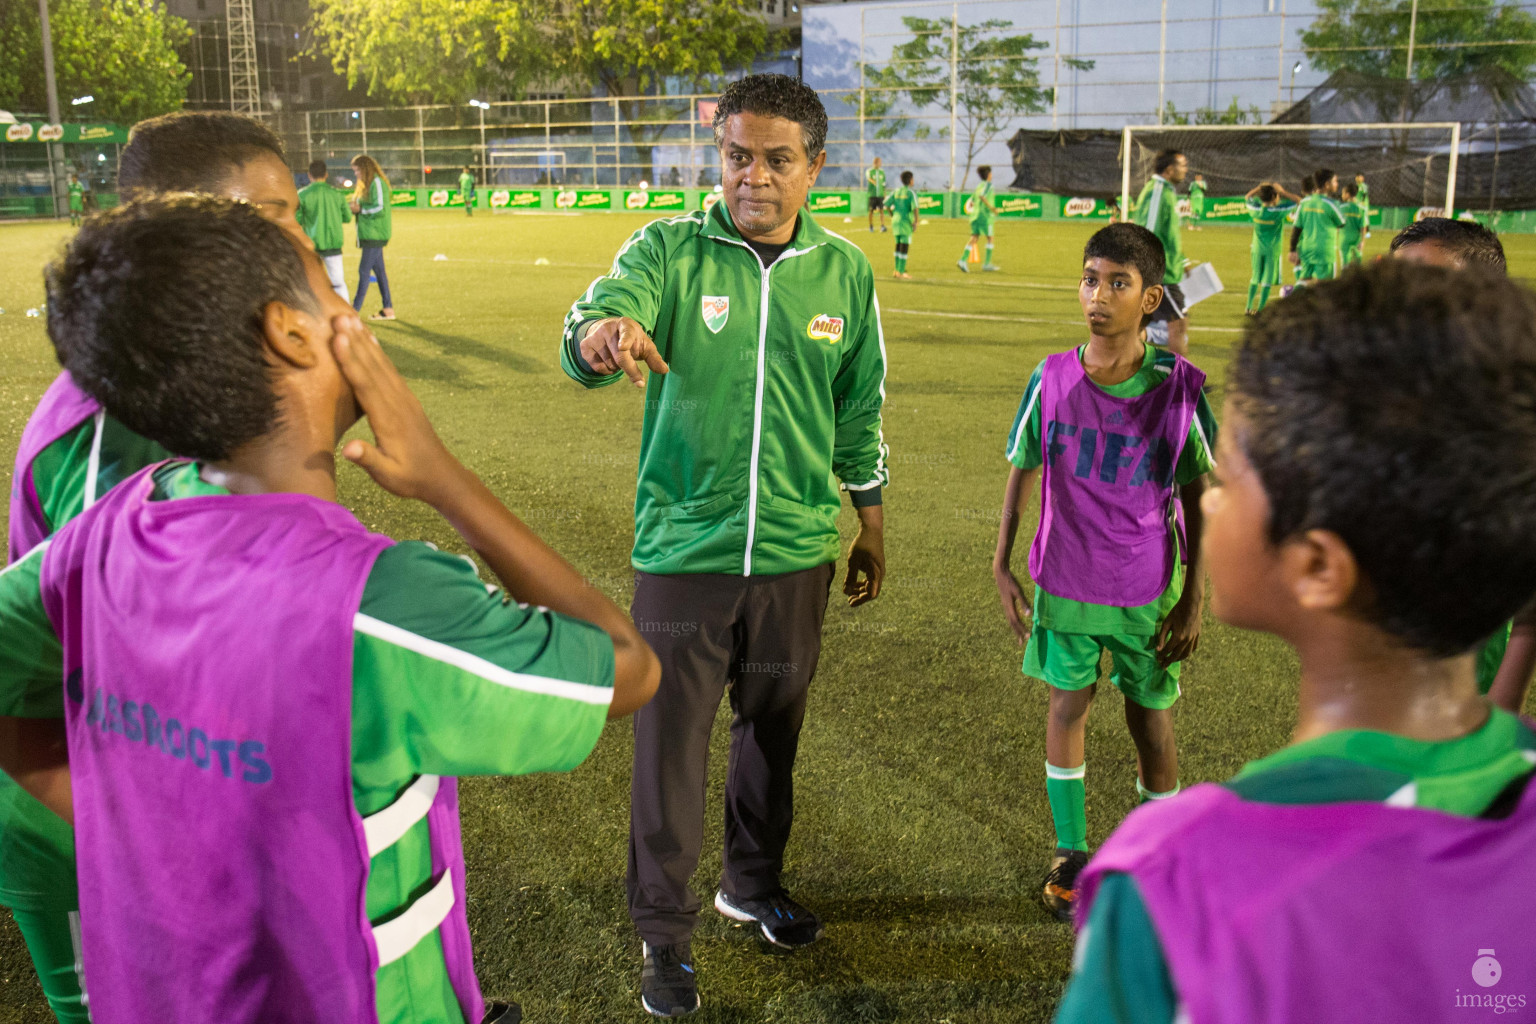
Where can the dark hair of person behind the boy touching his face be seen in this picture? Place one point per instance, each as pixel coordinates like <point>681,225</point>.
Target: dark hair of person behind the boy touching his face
<point>191,151</point>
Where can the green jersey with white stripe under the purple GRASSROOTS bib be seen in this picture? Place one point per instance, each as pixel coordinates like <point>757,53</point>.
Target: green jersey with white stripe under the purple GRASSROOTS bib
<point>432,653</point>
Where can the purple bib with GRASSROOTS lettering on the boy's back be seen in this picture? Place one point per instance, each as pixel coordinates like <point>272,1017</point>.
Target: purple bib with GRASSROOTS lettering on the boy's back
<point>208,701</point>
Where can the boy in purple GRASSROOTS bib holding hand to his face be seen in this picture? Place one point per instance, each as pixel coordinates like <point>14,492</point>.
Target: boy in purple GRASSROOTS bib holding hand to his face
<point>266,705</point>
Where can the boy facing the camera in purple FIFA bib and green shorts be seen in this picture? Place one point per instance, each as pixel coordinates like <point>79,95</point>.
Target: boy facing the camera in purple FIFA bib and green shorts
<point>1119,432</point>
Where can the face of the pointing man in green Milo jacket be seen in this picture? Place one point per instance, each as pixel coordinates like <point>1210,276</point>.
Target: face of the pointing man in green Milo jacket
<point>767,174</point>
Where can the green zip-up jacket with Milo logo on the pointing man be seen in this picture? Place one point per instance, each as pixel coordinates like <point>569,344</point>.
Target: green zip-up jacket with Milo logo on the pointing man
<point>775,394</point>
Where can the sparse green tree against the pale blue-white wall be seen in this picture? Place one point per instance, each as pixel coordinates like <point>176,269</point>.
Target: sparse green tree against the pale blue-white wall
<point>995,76</point>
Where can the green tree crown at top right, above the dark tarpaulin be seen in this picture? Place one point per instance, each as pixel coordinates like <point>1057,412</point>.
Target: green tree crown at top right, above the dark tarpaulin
<point>1451,39</point>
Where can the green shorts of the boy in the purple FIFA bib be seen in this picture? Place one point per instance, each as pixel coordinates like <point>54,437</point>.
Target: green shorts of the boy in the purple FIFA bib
<point>1070,661</point>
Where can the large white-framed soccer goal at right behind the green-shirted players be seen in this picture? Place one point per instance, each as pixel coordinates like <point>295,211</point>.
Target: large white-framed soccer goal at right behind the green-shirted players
<point>1405,165</point>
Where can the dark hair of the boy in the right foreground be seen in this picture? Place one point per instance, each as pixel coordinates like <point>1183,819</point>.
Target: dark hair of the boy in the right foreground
<point>1394,408</point>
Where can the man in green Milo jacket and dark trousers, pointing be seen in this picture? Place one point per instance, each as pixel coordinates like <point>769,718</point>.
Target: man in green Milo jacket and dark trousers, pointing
<point>763,337</point>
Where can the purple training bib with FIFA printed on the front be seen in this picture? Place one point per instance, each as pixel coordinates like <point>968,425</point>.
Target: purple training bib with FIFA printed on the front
<point>1108,497</point>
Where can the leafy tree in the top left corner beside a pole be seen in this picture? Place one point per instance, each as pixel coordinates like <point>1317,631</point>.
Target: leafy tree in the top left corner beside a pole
<point>121,51</point>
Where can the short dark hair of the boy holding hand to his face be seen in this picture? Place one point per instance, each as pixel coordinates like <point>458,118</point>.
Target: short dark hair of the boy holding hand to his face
<point>156,309</point>
